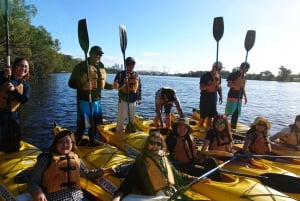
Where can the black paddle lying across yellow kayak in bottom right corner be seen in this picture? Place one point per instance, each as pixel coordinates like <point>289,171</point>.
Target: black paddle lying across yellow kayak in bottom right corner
<point>280,182</point>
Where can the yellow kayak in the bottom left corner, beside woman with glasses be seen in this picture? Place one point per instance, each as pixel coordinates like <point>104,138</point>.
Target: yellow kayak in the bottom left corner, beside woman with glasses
<point>14,169</point>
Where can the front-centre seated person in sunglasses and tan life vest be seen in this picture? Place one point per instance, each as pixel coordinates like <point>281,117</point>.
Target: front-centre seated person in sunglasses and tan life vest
<point>152,173</point>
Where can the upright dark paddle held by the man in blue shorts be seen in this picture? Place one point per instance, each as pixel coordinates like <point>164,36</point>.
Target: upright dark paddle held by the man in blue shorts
<point>83,38</point>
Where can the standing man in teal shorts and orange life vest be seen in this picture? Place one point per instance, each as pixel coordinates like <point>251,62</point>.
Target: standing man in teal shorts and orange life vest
<point>236,81</point>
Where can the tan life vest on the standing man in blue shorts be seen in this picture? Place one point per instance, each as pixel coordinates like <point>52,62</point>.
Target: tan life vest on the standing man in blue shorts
<point>95,77</point>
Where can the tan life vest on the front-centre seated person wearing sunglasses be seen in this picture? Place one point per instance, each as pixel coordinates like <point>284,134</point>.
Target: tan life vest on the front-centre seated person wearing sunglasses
<point>156,176</point>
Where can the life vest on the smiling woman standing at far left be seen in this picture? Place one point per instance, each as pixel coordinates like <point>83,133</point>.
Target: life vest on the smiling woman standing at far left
<point>4,99</point>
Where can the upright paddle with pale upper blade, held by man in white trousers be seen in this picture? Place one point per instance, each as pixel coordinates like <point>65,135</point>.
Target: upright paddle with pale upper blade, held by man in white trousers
<point>130,128</point>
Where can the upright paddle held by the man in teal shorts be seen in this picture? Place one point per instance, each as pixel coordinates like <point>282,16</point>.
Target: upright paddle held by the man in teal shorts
<point>249,42</point>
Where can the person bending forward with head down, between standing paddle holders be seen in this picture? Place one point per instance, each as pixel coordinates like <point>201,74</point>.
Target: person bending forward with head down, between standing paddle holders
<point>165,97</point>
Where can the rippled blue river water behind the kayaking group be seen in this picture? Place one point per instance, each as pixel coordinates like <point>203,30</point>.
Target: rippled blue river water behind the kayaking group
<point>52,100</point>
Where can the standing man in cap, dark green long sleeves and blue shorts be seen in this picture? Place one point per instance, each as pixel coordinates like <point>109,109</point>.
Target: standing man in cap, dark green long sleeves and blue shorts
<point>89,83</point>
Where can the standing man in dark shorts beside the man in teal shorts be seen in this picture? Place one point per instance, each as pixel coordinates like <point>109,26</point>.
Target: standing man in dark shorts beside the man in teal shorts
<point>210,83</point>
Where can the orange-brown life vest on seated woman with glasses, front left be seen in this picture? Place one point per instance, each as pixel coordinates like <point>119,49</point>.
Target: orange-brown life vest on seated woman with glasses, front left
<point>63,172</point>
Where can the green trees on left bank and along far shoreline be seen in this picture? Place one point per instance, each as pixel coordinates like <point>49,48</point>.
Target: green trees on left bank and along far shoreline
<point>37,45</point>
